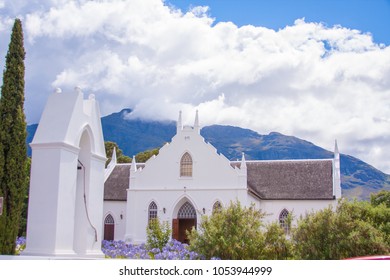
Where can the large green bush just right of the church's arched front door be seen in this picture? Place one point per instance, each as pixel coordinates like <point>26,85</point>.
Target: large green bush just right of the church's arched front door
<point>238,233</point>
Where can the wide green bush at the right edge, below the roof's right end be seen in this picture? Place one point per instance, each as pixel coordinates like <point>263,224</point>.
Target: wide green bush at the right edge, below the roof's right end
<point>352,229</point>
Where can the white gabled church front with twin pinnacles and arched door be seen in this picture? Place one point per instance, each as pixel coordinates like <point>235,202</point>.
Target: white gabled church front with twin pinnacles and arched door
<point>212,180</point>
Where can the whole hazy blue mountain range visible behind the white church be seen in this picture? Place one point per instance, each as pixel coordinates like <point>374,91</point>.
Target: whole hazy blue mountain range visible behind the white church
<point>358,179</point>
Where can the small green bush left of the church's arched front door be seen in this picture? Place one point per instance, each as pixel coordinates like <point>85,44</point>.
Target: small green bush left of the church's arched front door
<point>158,234</point>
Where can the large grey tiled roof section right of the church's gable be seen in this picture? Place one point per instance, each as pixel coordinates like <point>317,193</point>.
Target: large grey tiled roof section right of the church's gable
<point>291,179</point>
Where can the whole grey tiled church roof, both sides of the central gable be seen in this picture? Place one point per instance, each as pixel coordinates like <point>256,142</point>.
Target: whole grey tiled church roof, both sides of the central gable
<point>268,180</point>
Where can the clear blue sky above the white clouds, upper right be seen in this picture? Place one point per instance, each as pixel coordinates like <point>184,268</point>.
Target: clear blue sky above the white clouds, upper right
<point>366,15</point>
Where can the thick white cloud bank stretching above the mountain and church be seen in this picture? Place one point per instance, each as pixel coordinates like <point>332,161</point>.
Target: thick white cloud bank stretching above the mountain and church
<point>308,80</point>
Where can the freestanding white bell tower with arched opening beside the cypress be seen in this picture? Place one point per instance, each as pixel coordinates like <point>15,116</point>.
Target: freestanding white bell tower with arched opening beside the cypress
<point>67,179</point>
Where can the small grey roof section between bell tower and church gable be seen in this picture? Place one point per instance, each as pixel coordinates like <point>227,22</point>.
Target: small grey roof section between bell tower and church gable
<point>117,183</point>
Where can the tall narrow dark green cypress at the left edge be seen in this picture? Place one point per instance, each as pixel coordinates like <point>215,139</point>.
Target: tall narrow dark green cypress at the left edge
<point>13,154</point>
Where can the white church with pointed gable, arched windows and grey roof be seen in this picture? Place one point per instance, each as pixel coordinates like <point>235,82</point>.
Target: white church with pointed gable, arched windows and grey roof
<point>189,178</point>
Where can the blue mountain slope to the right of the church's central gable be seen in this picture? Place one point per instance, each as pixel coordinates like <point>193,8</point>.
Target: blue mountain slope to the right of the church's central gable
<point>358,179</point>
